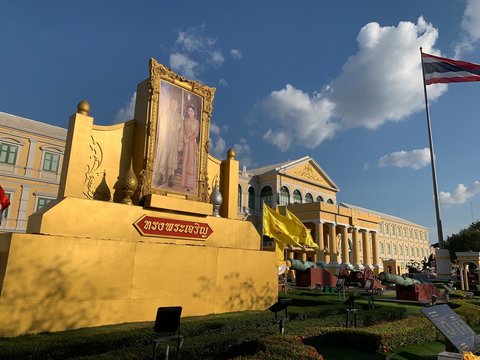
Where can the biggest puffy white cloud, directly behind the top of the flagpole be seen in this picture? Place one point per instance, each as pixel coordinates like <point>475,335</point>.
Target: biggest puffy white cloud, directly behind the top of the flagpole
<point>383,80</point>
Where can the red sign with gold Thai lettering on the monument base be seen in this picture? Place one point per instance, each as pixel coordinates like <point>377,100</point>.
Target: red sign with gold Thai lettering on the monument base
<point>154,226</point>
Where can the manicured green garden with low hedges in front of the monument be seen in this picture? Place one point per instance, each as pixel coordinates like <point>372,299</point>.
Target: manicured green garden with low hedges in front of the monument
<point>316,330</point>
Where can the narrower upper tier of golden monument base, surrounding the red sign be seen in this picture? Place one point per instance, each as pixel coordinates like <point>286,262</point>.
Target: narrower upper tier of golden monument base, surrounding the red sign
<point>84,218</point>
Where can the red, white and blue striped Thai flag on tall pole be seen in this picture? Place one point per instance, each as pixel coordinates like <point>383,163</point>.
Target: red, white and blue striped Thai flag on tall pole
<point>442,70</point>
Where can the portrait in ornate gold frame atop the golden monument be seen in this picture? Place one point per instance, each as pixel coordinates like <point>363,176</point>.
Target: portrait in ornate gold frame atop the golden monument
<point>177,128</point>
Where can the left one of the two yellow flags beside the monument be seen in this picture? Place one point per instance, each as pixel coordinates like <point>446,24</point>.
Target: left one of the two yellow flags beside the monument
<point>278,227</point>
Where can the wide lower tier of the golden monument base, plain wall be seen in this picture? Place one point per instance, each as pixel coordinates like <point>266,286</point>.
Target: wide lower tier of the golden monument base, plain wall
<point>51,283</point>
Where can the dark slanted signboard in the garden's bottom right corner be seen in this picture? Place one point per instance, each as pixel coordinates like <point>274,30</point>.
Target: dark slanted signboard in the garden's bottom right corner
<point>453,328</point>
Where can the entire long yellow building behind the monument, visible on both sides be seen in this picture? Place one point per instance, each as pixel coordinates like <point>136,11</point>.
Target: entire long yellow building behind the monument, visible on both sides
<point>31,156</point>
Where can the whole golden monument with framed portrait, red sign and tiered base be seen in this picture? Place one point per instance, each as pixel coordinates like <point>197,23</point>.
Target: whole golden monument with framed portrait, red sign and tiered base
<point>133,227</point>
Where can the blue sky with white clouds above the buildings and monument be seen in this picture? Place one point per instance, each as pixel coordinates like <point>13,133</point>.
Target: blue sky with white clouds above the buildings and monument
<point>339,81</point>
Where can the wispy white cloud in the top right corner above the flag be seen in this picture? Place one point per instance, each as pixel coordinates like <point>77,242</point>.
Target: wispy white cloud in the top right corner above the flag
<point>471,26</point>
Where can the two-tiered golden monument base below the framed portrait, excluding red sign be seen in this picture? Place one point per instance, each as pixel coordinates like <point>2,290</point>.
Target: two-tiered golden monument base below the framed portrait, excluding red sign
<point>84,263</point>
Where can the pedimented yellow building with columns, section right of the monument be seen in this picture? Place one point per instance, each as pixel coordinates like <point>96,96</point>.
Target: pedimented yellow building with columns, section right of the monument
<point>345,234</point>
